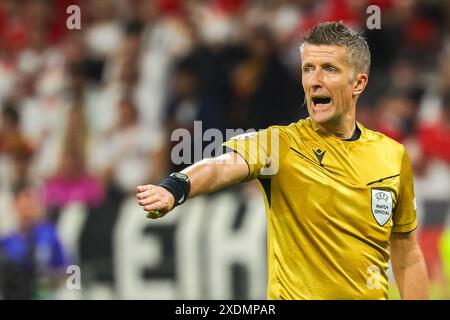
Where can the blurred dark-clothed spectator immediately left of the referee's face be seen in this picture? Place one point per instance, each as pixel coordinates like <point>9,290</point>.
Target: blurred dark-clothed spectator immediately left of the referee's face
<point>261,83</point>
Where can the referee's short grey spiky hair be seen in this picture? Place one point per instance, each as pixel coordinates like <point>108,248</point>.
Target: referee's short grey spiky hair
<point>337,33</point>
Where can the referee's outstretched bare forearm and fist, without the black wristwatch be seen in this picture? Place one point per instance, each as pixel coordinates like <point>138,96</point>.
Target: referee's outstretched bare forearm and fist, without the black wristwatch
<point>206,176</point>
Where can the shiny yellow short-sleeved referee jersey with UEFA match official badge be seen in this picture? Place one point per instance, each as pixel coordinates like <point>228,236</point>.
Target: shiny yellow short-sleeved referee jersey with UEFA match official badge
<point>331,207</point>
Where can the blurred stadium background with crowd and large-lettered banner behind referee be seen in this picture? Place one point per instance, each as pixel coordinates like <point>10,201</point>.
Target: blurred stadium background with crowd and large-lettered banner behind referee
<point>86,115</point>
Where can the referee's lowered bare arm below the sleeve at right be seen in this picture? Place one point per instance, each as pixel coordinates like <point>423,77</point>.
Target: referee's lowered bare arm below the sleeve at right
<point>409,266</point>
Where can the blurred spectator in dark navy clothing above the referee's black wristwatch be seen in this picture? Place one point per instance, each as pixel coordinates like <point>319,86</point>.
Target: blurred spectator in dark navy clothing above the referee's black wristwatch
<point>194,97</point>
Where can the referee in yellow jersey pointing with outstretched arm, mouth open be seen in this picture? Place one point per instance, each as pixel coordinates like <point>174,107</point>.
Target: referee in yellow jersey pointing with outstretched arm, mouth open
<point>339,197</point>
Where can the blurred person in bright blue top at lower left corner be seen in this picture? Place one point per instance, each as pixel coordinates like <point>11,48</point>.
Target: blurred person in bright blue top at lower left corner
<point>33,260</point>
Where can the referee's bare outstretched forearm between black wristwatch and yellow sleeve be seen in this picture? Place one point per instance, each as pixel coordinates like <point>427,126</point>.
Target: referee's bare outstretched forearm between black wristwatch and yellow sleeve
<point>210,175</point>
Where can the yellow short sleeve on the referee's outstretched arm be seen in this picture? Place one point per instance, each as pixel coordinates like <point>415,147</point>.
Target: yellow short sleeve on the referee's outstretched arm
<point>264,151</point>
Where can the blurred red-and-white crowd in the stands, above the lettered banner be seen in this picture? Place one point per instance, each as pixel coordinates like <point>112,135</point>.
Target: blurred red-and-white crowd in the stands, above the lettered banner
<point>86,115</point>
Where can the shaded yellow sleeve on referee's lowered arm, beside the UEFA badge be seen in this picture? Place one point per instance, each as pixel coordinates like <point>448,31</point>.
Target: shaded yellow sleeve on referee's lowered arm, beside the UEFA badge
<point>404,217</point>
